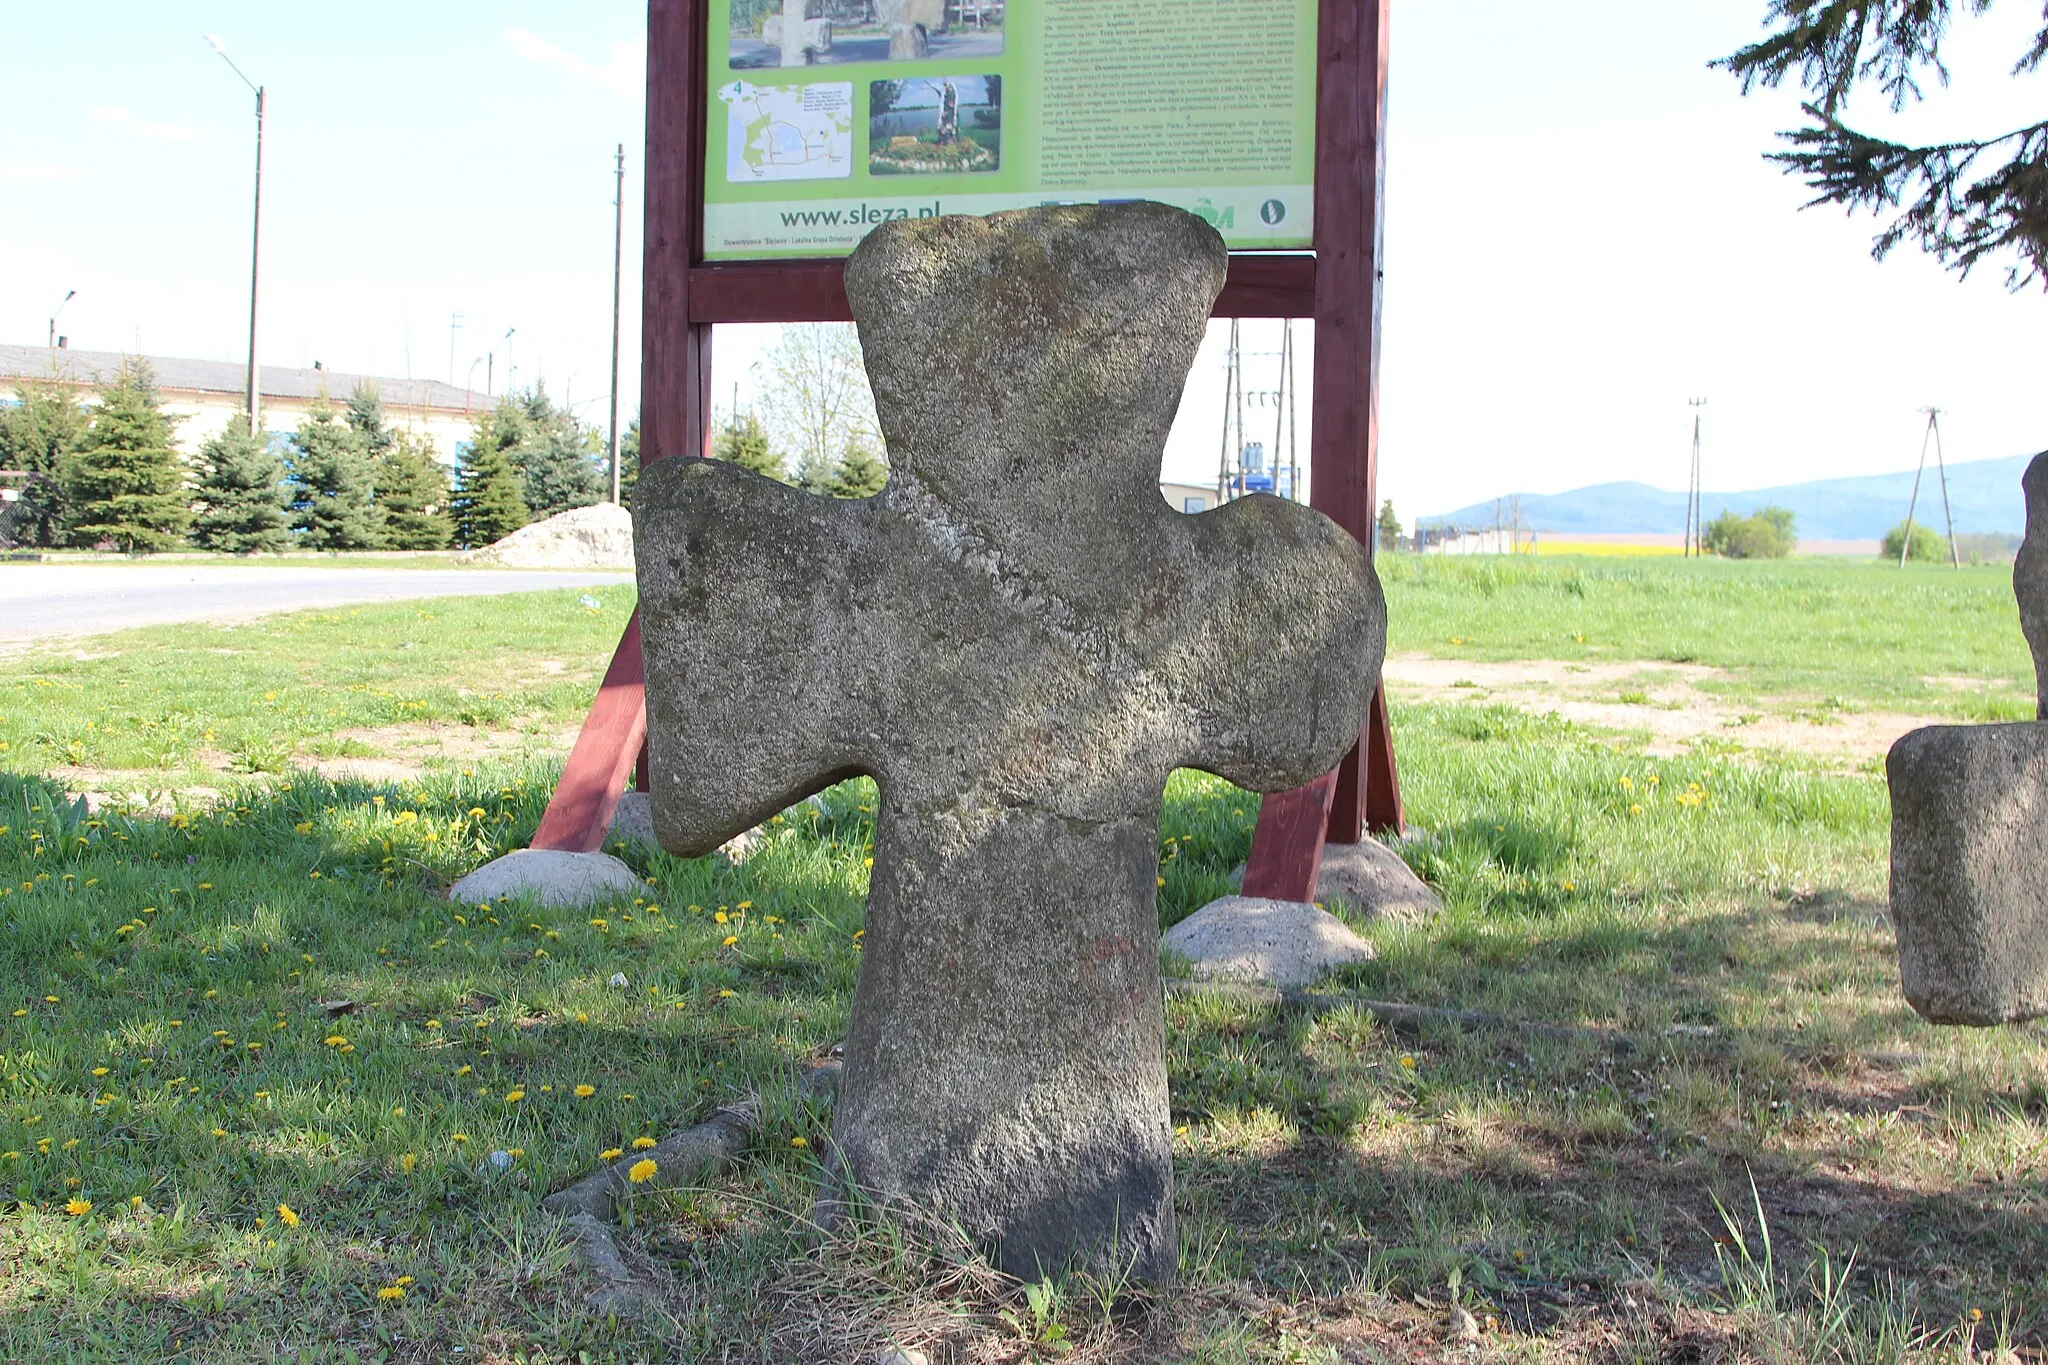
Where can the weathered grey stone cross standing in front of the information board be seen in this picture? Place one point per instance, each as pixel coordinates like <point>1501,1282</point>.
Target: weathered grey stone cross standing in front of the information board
<point>1019,640</point>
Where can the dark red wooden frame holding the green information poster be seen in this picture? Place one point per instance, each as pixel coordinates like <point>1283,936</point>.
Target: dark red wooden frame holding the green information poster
<point>1338,285</point>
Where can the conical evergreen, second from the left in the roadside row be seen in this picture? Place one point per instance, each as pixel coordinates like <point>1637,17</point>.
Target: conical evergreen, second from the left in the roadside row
<point>126,482</point>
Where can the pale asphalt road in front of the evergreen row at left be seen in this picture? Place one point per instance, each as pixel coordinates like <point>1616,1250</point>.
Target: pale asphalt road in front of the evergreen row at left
<point>40,603</point>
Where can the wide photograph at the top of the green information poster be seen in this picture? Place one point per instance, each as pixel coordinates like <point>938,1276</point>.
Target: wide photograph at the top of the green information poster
<point>783,34</point>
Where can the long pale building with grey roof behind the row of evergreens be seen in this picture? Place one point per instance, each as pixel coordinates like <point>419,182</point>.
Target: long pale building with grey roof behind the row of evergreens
<point>212,394</point>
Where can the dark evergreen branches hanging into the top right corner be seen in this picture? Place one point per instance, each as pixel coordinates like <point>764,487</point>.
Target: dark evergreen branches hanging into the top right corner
<point>1961,200</point>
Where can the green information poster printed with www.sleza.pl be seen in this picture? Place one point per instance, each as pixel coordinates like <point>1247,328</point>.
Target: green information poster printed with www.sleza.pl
<point>835,116</point>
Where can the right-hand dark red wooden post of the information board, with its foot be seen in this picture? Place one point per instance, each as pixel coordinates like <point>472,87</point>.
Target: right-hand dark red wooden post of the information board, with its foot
<point>1351,179</point>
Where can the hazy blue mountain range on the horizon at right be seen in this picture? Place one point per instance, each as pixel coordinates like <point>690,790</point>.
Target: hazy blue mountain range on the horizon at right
<point>1983,494</point>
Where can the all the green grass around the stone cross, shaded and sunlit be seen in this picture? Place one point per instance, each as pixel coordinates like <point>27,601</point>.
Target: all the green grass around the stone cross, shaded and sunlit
<point>1340,1186</point>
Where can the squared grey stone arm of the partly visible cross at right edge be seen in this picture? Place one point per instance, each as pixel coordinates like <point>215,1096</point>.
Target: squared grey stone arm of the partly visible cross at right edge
<point>1971,871</point>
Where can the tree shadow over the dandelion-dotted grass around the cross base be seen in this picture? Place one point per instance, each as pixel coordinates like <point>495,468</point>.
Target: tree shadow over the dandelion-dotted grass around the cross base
<point>1545,1176</point>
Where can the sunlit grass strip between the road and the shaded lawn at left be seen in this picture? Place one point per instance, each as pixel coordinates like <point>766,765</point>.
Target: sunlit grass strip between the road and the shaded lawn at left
<point>198,705</point>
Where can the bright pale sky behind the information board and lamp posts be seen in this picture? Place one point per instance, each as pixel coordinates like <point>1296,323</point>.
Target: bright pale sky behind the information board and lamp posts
<point>1582,232</point>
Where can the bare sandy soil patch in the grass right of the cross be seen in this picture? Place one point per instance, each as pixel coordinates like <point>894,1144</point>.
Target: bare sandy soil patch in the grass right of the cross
<point>1664,699</point>
